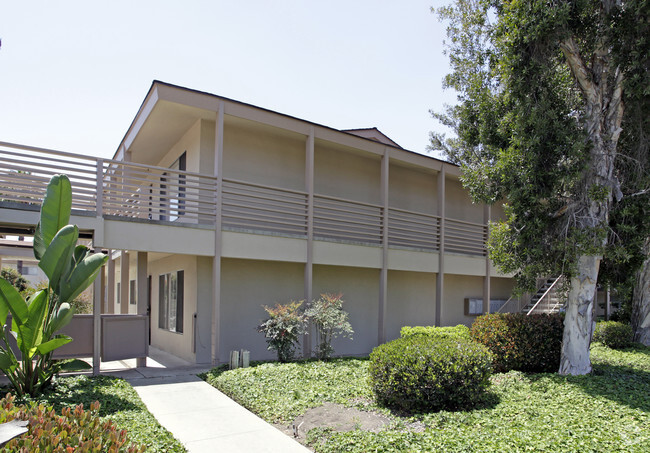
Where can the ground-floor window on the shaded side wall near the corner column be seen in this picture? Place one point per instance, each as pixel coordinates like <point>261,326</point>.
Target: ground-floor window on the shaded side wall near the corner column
<point>171,289</point>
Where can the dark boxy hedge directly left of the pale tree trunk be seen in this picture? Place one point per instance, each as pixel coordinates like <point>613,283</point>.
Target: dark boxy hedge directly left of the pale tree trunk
<point>518,342</point>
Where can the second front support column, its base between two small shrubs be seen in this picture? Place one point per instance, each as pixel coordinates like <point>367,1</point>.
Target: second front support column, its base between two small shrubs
<point>309,264</point>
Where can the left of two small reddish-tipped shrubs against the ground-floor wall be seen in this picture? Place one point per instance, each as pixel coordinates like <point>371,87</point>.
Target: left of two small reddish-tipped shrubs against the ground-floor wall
<point>283,329</point>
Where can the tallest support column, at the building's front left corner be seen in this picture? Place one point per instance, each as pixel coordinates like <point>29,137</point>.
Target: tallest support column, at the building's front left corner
<point>216,263</point>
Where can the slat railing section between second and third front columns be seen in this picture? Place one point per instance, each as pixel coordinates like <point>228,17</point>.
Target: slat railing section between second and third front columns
<point>339,219</point>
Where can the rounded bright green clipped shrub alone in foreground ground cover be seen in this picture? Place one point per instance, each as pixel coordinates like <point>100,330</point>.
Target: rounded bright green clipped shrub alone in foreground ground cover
<point>421,372</point>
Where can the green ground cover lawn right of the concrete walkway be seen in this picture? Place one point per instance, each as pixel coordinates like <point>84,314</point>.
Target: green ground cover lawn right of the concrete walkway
<point>606,411</point>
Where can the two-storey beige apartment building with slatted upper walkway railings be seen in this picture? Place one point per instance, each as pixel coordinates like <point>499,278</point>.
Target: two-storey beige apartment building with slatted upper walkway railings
<point>211,208</point>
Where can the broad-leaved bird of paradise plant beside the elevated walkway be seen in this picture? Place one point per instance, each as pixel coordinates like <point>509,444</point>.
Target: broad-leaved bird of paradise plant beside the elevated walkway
<point>70,268</point>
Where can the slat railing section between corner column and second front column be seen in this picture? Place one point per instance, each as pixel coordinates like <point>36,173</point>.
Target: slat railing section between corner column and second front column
<point>255,207</point>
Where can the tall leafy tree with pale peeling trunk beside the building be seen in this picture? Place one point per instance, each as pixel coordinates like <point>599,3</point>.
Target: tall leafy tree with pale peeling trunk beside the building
<point>538,124</point>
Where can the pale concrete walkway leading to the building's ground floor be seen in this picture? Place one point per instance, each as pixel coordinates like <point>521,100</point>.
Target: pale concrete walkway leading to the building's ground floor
<point>197,414</point>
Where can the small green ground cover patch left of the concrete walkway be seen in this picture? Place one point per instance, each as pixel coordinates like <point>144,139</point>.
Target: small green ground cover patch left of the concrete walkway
<point>119,402</point>
